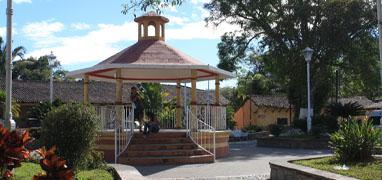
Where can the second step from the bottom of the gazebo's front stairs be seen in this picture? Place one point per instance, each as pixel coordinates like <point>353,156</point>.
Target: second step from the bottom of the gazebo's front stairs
<point>164,153</point>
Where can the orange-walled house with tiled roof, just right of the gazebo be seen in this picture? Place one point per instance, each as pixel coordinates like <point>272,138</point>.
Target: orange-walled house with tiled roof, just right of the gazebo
<point>264,110</point>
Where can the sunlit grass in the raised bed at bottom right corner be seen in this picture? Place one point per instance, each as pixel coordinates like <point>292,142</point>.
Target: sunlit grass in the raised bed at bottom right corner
<point>364,170</point>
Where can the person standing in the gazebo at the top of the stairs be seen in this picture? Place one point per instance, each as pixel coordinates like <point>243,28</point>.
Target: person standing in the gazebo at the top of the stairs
<point>138,111</point>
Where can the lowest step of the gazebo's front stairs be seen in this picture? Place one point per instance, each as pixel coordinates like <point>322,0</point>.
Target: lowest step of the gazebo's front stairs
<point>143,161</point>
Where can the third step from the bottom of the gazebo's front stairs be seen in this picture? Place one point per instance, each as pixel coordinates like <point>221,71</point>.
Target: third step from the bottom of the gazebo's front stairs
<point>153,147</point>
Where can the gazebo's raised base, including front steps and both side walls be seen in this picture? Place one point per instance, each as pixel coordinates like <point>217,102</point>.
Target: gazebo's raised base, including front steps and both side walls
<point>169,146</point>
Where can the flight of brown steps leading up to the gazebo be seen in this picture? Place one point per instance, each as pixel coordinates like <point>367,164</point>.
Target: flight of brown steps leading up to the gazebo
<point>164,148</point>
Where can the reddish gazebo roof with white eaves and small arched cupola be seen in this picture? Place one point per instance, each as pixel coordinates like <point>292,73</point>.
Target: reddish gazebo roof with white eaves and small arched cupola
<point>151,59</point>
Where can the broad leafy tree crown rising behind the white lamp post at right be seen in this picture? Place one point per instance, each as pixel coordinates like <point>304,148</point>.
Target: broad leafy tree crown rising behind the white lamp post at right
<point>278,30</point>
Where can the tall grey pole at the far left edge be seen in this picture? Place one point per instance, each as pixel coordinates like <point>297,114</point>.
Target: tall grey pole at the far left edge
<point>8,64</point>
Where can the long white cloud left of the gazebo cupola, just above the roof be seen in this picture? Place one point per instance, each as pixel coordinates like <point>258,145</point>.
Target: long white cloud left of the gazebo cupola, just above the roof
<point>96,45</point>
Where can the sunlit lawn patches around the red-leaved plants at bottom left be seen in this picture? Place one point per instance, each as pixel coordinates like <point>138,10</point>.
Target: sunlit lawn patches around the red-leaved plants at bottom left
<point>27,170</point>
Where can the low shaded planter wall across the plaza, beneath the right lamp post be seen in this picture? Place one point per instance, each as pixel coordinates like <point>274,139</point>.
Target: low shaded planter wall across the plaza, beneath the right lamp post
<point>293,143</point>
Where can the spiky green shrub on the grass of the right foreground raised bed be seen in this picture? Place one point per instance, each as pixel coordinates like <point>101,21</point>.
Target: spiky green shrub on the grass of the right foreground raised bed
<point>354,141</point>
